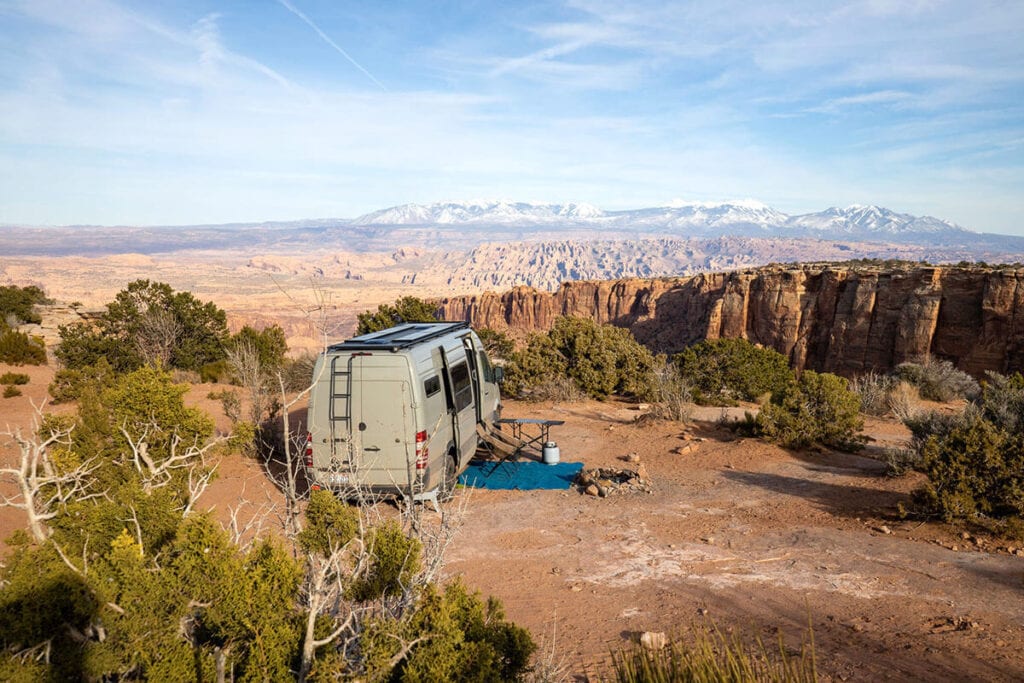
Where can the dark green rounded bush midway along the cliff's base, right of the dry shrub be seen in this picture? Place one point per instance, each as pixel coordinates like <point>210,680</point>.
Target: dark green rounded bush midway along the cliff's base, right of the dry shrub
<point>722,371</point>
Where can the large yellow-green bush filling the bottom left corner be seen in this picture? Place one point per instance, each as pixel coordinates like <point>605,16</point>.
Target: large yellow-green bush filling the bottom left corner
<point>162,619</point>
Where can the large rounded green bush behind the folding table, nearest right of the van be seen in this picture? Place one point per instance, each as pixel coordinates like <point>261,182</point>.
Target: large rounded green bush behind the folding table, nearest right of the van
<point>601,360</point>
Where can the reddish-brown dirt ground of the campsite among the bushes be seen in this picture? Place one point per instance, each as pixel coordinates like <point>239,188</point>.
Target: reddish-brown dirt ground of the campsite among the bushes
<point>755,538</point>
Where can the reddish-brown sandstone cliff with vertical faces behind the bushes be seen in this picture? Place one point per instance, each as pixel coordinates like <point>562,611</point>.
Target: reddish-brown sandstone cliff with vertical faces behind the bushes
<point>826,318</point>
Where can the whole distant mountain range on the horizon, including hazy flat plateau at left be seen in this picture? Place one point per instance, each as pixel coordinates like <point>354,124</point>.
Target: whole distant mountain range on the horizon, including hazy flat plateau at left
<point>465,226</point>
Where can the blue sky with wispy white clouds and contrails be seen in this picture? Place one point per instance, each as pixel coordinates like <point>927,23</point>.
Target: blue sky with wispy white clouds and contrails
<point>196,112</point>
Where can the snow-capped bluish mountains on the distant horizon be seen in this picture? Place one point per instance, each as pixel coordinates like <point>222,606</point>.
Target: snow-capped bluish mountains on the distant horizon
<point>740,219</point>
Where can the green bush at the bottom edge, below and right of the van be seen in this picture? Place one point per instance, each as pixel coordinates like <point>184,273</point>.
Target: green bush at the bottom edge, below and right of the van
<point>461,637</point>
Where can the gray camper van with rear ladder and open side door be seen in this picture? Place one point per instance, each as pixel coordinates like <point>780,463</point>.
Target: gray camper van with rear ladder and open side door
<point>397,411</point>
